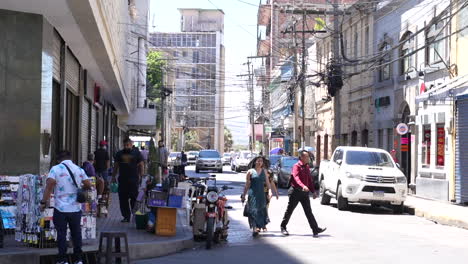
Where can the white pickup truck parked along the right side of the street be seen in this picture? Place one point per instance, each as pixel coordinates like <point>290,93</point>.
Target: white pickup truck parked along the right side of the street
<point>362,175</point>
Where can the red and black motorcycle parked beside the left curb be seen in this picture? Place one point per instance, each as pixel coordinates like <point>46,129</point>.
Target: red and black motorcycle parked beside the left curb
<point>209,214</point>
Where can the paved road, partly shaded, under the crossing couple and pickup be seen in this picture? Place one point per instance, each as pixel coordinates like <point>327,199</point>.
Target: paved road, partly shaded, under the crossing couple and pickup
<point>362,235</point>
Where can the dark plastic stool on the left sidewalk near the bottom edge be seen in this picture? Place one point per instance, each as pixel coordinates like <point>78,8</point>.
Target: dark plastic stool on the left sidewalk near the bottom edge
<point>109,254</point>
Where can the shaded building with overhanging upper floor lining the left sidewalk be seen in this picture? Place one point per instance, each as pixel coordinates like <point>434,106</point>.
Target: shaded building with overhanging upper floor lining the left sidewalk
<point>65,79</point>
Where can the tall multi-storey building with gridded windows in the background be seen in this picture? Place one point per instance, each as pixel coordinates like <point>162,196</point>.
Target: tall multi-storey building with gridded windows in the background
<point>199,54</point>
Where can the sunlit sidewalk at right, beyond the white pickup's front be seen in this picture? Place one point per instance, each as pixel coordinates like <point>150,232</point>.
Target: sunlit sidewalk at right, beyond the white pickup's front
<point>440,212</point>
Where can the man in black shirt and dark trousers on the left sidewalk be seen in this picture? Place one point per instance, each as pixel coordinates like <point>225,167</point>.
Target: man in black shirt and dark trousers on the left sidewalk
<point>129,165</point>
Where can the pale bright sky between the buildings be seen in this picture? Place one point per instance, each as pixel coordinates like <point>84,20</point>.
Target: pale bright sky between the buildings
<point>240,29</point>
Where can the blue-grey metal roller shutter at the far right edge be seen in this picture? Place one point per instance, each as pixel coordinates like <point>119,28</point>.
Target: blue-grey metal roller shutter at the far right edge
<point>461,145</point>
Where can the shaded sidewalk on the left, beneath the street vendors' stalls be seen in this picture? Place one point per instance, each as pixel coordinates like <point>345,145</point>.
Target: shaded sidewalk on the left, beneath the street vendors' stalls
<point>142,244</point>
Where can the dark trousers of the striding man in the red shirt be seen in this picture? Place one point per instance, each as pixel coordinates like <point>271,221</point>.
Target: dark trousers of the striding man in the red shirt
<point>298,196</point>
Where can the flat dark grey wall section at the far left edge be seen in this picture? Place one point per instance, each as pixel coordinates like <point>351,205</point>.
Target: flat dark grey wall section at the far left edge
<point>20,91</point>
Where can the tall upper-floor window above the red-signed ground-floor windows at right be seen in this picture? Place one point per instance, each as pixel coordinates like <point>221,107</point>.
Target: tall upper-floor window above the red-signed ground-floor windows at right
<point>436,50</point>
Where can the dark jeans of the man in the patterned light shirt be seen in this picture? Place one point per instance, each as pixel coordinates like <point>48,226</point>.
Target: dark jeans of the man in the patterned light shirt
<point>73,220</point>
